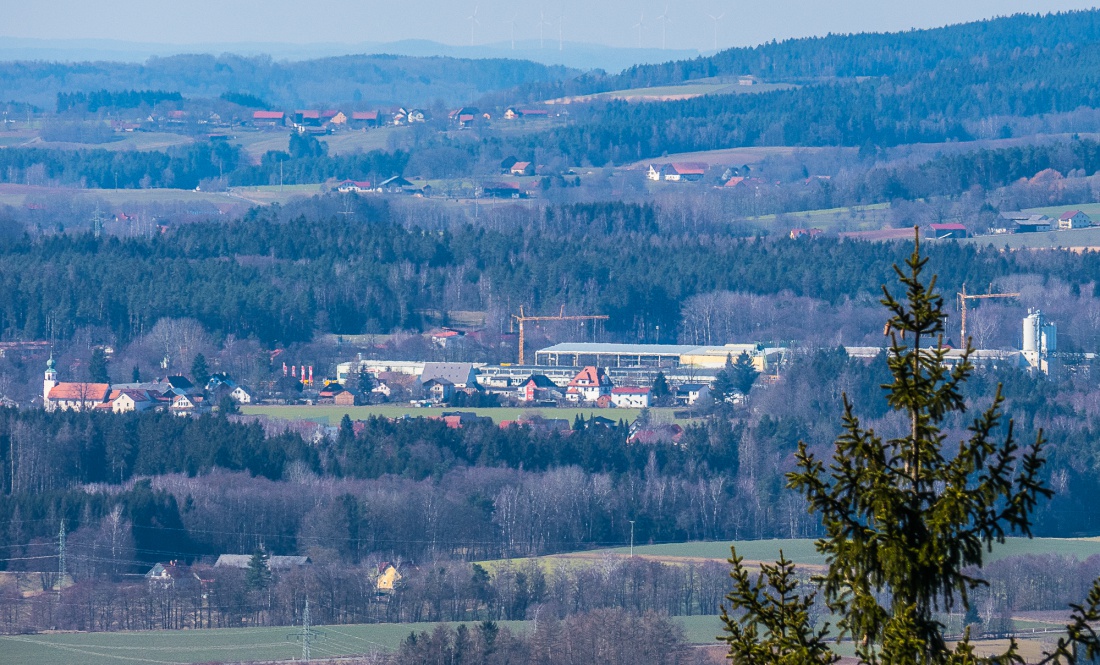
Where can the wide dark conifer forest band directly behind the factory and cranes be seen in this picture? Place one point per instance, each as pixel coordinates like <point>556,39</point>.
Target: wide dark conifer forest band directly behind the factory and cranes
<point>281,275</point>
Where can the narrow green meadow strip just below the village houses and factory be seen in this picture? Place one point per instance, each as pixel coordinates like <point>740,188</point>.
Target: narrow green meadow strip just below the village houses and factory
<point>329,415</point>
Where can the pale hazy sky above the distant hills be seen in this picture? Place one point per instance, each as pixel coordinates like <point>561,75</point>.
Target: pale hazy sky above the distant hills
<point>611,23</point>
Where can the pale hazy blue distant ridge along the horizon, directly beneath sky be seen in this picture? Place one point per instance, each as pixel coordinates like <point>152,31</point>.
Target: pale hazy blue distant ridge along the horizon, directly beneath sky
<point>576,56</point>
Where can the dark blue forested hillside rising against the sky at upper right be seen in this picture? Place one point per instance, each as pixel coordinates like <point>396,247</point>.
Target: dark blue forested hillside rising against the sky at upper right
<point>912,96</point>
